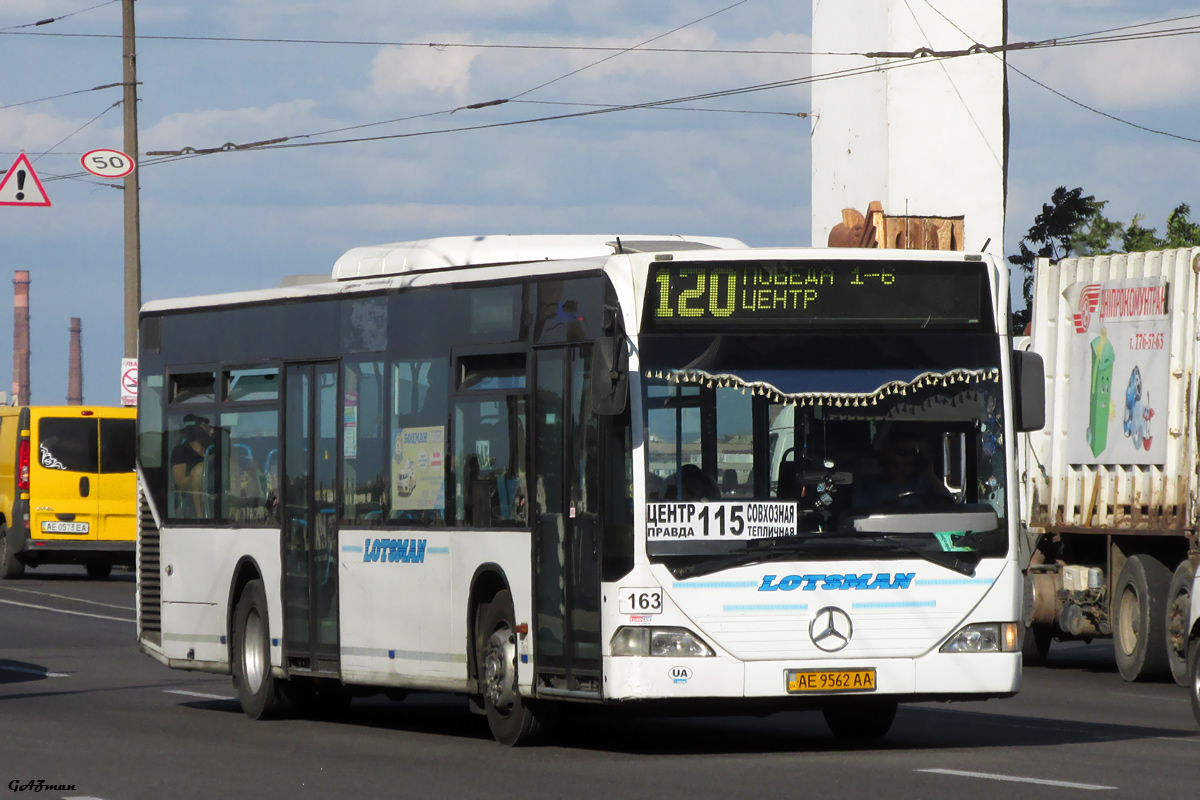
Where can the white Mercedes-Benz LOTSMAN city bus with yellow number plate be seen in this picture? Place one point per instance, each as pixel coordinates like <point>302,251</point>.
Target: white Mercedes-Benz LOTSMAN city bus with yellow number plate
<point>661,474</point>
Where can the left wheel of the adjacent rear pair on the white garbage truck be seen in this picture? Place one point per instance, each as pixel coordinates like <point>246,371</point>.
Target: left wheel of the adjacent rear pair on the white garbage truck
<point>1139,630</point>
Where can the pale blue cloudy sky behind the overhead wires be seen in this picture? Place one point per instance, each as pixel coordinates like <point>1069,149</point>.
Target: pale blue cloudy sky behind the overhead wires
<point>244,220</point>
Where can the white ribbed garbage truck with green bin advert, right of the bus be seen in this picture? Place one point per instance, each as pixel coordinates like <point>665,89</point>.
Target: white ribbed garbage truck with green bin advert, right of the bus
<point>1111,485</point>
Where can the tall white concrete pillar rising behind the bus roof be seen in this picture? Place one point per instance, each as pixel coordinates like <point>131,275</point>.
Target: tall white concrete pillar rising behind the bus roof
<point>927,137</point>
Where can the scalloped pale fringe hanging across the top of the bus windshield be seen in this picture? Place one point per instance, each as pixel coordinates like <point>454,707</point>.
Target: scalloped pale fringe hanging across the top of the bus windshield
<point>887,393</point>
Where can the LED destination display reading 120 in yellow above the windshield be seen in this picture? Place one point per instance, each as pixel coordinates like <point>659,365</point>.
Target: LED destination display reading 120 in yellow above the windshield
<point>727,294</point>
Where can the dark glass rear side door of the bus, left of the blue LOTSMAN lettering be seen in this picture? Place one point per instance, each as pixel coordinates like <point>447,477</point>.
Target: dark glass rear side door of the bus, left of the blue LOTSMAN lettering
<point>310,519</point>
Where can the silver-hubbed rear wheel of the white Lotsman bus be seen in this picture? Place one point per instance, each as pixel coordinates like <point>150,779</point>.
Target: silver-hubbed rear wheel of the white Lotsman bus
<point>257,690</point>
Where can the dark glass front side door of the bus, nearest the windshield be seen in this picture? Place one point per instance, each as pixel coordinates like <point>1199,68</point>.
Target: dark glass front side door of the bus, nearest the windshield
<point>567,532</point>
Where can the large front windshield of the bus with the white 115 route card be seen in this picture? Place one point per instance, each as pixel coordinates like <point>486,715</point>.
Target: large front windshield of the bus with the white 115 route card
<point>824,444</point>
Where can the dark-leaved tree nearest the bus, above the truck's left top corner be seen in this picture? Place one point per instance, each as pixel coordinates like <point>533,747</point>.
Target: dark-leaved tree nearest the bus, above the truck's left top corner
<point>1070,220</point>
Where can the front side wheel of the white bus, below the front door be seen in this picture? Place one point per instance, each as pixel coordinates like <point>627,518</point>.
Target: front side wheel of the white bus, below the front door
<point>509,715</point>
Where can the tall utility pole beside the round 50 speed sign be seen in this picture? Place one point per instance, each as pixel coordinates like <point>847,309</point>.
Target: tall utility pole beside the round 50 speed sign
<point>133,213</point>
